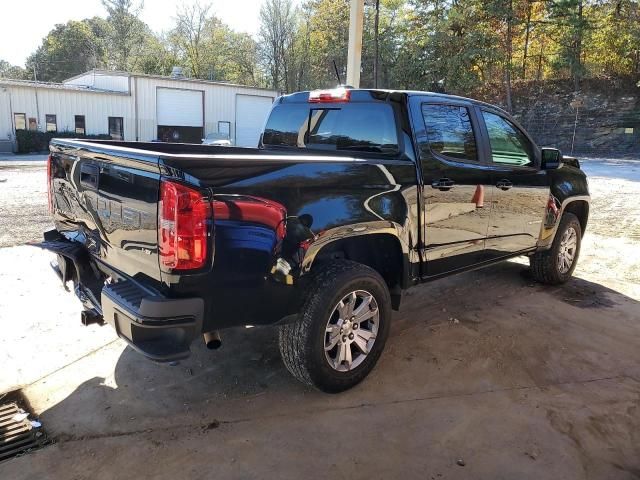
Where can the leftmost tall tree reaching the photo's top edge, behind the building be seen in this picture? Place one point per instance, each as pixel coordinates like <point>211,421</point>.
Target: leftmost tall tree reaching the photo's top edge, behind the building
<point>127,32</point>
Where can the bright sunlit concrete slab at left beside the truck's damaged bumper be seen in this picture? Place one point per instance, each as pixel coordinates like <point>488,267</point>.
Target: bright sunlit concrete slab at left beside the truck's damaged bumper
<point>40,320</point>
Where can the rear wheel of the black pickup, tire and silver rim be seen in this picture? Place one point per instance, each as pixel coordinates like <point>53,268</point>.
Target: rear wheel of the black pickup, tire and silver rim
<point>341,329</point>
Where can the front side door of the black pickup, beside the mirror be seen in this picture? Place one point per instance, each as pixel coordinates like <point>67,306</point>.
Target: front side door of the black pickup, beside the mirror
<point>520,189</point>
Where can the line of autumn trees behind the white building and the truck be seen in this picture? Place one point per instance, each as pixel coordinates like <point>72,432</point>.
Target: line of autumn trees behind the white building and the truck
<point>460,47</point>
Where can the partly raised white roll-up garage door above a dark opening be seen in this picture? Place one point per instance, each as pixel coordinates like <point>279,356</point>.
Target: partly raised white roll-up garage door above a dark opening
<point>180,108</point>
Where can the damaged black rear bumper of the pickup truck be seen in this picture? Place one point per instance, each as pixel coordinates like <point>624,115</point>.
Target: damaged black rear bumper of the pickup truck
<point>160,328</point>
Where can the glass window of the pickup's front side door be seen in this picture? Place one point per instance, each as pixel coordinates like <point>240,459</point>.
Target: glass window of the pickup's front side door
<point>509,145</point>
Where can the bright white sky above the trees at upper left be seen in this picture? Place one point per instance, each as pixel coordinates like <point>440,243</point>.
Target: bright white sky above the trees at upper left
<point>26,22</point>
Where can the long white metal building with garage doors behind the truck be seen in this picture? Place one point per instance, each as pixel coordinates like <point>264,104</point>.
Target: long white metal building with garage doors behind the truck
<point>134,107</point>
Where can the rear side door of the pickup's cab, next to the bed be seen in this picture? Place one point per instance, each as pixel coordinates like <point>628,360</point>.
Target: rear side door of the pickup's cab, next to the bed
<point>456,188</point>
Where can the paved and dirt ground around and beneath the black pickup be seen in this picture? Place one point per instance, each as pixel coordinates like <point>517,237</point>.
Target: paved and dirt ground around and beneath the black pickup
<point>486,374</point>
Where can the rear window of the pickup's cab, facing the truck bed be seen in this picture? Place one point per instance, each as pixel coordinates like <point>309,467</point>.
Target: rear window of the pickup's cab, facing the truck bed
<point>365,127</point>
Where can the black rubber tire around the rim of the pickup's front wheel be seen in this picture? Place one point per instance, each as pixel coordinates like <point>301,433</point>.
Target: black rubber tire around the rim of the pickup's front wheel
<point>545,265</point>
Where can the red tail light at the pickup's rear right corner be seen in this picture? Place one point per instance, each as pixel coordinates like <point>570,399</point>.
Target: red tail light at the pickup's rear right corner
<point>183,227</point>
